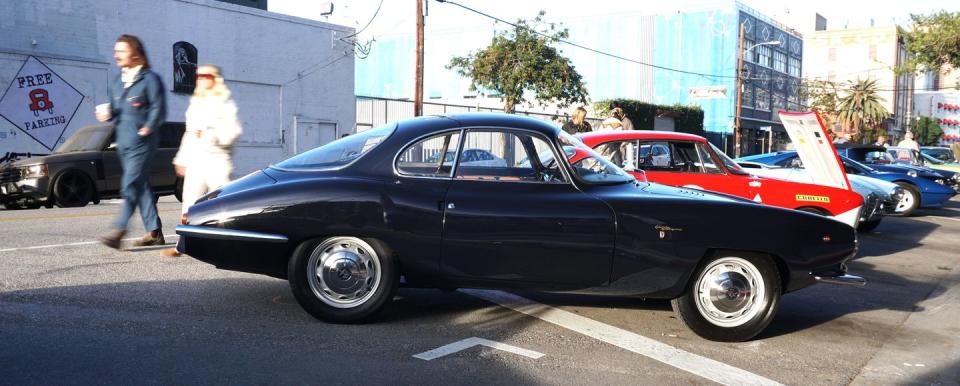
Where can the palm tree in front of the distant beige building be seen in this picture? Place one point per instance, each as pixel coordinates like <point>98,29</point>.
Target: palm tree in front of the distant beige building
<point>861,108</point>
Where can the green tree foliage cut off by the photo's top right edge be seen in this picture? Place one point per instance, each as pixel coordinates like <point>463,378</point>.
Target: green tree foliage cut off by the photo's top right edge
<point>933,42</point>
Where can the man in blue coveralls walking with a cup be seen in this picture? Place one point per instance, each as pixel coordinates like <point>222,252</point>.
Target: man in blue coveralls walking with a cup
<point>137,108</point>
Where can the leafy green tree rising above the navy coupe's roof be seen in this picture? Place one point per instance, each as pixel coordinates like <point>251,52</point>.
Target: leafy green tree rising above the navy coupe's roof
<point>522,60</point>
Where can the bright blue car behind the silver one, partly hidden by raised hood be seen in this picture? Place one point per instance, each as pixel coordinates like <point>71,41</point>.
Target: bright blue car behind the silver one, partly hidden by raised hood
<point>920,191</point>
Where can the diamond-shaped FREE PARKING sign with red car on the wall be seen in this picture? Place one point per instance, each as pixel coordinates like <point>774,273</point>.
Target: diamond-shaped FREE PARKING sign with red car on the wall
<point>40,103</point>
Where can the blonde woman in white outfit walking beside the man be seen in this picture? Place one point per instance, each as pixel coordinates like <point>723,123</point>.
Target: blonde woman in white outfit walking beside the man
<point>205,158</point>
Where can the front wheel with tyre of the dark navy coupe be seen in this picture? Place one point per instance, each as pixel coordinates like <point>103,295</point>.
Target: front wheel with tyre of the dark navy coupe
<point>732,298</point>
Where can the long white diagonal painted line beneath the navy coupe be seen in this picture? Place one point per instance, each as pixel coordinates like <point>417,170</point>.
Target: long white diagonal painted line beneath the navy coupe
<point>705,367</point>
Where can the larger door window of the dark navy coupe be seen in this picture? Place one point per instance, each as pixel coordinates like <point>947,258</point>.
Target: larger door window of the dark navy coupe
<point>508,156</point>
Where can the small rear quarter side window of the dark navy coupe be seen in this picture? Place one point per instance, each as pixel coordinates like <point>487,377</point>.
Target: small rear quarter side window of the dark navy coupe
<point>430,157</point>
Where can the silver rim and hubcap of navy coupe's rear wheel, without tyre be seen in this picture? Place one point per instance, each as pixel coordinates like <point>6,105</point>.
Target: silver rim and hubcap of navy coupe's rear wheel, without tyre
<point>344,272</point>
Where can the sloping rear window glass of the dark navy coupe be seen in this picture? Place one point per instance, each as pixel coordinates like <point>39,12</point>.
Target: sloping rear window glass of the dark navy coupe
<point>340,152</point>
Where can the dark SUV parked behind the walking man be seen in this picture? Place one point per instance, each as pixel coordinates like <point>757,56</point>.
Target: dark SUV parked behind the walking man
<point>84,169</point>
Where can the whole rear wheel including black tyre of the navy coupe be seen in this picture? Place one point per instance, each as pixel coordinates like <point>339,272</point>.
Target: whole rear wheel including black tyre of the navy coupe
<point>343,279</point>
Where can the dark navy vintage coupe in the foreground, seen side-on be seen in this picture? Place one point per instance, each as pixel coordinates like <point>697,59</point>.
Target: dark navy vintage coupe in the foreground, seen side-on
<point>348,222</point>
